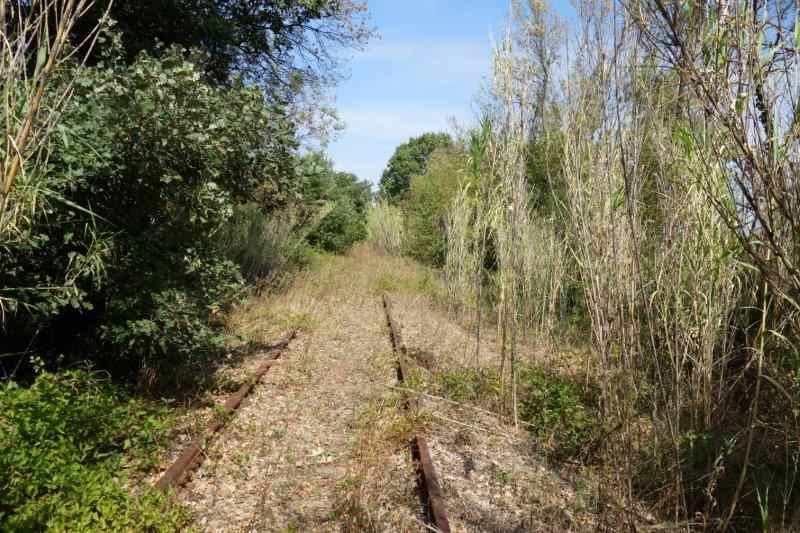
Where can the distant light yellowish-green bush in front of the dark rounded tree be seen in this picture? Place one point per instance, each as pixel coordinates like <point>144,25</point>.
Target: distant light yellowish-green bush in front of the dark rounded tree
<point>425,209</point>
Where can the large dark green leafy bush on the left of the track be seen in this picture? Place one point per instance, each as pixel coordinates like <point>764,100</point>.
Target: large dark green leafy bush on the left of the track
<point>146,169</point>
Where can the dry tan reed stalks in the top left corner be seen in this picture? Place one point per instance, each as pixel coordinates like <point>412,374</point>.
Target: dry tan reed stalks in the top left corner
<point>34,45</point>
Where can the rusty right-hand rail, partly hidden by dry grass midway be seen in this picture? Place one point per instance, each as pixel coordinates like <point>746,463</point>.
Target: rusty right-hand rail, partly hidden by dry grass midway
<point>429,481</point>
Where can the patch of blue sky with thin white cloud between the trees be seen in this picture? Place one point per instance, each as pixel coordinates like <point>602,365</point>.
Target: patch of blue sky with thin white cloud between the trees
<point>425,69</point>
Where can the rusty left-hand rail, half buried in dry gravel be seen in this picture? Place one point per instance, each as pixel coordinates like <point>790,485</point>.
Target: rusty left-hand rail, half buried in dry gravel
<point>177,474</point>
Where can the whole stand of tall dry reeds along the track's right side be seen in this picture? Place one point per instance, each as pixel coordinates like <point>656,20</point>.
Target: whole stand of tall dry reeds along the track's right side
<point>657,260</point>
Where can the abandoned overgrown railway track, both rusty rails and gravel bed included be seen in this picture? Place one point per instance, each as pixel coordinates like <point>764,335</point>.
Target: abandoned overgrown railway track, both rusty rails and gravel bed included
<point>351,430</point>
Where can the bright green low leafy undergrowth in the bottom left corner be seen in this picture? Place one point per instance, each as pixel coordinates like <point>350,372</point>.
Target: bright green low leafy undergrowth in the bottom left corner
<point>65,445</point>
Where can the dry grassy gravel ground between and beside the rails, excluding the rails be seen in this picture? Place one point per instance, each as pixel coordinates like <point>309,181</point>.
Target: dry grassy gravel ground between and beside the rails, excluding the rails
<point>322,444</point>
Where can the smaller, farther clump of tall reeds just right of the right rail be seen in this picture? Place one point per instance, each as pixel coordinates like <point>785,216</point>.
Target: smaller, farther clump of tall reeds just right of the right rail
<point>499,249</point>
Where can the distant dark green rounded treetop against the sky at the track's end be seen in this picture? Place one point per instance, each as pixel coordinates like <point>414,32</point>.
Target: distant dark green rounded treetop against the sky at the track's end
<point>410,159</point>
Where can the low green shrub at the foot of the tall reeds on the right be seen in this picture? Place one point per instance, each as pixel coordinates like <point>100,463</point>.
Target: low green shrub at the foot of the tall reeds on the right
<point>558,410</point>
